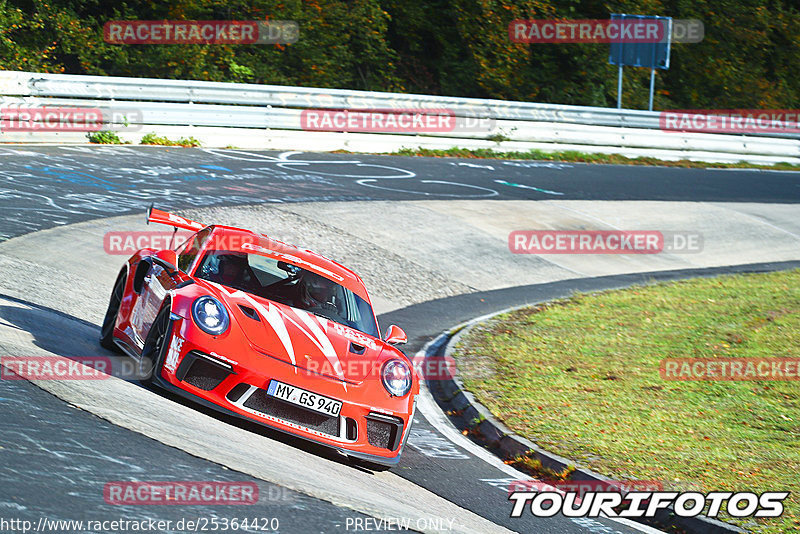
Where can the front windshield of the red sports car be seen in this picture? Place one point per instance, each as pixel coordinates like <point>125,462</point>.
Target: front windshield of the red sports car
<point>288,284</point>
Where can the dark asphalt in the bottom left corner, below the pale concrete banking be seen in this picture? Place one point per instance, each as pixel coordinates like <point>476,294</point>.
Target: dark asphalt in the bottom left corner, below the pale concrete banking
<point>57,458</point>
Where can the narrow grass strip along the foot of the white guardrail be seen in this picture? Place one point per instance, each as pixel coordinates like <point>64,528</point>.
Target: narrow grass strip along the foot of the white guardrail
<point>581,157</point>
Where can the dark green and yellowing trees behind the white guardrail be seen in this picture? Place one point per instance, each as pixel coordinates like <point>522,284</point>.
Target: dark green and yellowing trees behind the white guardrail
<point>749,58</point>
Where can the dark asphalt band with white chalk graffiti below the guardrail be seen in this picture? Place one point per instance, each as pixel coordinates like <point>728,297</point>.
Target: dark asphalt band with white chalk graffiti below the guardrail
<point>42,187</point>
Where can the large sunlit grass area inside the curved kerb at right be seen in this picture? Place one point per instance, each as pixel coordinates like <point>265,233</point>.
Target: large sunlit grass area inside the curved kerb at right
<point>581,378</point>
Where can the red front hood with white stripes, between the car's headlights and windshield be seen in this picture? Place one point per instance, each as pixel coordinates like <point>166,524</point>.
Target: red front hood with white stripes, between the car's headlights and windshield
<point>309,342</point>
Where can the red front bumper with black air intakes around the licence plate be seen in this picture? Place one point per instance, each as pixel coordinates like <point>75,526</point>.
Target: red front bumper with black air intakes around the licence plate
<point>369,427</point>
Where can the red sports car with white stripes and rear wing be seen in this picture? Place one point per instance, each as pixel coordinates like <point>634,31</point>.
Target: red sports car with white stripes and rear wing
<point>269,332</point>
